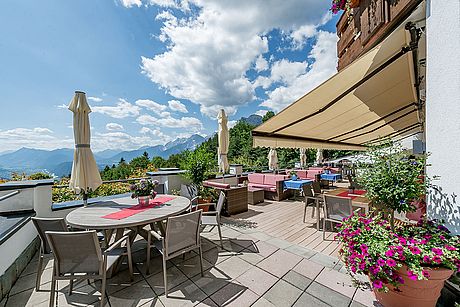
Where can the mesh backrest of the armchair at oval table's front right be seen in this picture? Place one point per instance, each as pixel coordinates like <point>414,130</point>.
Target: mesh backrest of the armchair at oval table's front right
<point>182,232</point>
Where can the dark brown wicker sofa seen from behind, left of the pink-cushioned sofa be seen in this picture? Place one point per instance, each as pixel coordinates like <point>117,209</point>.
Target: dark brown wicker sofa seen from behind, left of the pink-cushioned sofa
<point>236,200</point>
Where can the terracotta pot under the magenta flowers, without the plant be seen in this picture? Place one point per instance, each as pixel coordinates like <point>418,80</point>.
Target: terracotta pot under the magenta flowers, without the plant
<point>420,293</point>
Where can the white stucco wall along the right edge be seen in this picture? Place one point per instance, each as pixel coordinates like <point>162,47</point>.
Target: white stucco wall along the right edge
<point>443,109</point>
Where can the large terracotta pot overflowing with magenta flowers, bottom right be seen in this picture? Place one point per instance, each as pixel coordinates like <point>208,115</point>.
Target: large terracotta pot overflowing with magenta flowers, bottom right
<point>406,265</point>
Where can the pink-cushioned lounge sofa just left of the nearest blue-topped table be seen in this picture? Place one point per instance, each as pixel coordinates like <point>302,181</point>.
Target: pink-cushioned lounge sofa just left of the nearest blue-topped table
<point>272,184</point>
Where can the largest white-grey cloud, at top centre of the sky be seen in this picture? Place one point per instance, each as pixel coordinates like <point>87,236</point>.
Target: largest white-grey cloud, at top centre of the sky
<point>208,53</point>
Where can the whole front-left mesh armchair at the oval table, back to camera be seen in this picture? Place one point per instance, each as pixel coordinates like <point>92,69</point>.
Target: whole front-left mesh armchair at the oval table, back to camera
<point>78,255</point>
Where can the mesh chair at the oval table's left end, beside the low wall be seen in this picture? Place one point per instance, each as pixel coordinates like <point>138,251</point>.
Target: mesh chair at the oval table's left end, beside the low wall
<point>42,225</point>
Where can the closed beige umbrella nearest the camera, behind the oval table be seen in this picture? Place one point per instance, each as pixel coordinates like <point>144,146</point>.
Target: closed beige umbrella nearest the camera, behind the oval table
<point>85,173</point>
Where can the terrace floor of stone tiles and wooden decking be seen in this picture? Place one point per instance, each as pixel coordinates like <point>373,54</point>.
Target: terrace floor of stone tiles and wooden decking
<point>266,259</point>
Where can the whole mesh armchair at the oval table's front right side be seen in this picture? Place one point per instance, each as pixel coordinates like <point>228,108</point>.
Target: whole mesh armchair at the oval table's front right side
<point>182,235</point>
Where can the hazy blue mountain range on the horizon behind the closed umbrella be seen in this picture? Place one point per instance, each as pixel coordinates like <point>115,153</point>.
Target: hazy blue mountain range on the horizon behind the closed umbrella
<point>59,161</point>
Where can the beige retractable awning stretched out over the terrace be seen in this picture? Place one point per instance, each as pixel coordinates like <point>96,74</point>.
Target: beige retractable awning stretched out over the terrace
<point>373,97</point>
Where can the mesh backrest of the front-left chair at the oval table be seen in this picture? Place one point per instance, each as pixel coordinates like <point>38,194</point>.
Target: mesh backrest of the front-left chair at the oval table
<point>76,252</point>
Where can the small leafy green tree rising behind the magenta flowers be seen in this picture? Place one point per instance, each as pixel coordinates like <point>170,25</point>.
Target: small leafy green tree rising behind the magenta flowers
<point>394,179</point>
